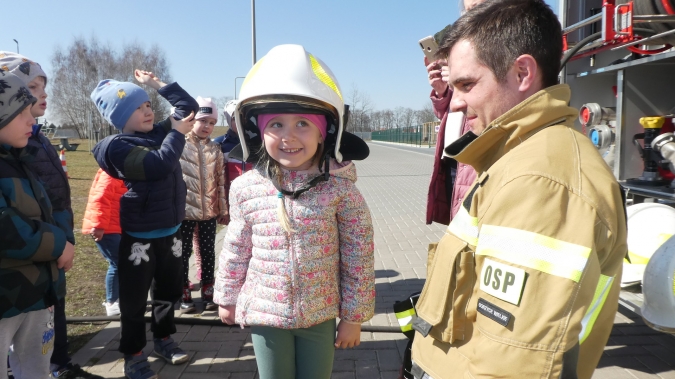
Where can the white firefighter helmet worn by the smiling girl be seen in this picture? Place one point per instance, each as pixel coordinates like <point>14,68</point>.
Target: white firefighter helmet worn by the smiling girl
<point>290,80</point>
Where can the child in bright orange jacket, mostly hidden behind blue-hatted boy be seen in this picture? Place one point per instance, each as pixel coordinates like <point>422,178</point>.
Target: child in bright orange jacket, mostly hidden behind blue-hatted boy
<point>102,222</point>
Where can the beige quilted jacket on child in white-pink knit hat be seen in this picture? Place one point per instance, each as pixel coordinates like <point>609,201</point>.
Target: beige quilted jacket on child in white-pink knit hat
<point>203,168</point>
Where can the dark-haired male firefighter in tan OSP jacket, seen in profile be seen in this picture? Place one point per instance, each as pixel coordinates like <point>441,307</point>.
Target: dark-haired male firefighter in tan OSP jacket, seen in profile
<point>525,282</point>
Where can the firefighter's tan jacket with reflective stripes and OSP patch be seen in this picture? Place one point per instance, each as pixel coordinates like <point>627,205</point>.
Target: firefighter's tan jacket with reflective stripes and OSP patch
<point>537,251</point>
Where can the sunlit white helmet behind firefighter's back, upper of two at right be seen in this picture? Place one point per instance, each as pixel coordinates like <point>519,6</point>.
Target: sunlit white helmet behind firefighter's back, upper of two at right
<point>649,226</point>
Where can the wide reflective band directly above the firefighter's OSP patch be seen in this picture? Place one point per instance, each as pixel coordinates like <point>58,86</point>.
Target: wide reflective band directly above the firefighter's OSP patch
<point>536,251</point>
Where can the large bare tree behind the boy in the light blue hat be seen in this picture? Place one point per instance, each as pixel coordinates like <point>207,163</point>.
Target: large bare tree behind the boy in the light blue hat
<point>78,69</point>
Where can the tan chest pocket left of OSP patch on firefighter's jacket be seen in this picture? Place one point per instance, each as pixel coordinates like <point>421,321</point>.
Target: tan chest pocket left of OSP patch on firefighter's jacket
<point>441,309</point>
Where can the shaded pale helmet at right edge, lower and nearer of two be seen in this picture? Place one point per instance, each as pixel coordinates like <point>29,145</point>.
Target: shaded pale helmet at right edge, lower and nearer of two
<point>658,289</point>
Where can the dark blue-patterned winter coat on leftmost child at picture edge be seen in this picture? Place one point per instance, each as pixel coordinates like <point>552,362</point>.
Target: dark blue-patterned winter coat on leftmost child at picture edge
<point>30,242</point>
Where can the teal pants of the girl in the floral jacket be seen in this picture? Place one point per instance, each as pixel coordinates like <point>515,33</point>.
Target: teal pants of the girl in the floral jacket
<point>294,353</point>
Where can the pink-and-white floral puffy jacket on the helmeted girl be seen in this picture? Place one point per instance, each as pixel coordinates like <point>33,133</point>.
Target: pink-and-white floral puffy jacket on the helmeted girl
<point>325,269</point>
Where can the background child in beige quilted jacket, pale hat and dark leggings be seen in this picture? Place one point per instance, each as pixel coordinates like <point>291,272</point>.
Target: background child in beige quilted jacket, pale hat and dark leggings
<point>203,166</point>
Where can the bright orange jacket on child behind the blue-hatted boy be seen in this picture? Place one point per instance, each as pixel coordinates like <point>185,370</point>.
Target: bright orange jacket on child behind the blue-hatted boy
<point>103,207</point>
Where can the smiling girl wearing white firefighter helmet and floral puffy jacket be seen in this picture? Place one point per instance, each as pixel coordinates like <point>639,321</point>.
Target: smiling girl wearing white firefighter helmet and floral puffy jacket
<point>299,248</point>
